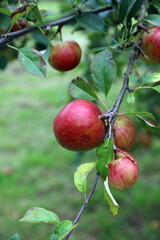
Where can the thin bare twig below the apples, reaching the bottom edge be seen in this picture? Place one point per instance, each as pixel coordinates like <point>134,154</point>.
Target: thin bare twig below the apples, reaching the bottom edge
<point>85,204</point>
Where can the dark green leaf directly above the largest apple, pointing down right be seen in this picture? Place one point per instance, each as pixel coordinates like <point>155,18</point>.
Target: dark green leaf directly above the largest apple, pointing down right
<point>81,88</point>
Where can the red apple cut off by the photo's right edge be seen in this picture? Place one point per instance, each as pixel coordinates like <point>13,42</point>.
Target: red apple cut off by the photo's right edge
<point>150,44</point>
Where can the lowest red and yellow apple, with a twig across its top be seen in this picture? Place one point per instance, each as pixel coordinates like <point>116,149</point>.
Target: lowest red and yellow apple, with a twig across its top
<point>123,171</point>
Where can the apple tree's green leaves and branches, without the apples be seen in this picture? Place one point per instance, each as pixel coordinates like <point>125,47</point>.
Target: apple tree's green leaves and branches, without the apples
<point>129,20</point>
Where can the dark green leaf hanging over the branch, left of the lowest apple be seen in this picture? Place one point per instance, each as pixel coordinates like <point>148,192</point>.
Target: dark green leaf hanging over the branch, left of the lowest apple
<point>104,155</point>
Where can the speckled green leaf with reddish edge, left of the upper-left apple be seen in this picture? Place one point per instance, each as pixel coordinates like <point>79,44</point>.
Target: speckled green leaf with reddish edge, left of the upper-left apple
<point>32,61</point>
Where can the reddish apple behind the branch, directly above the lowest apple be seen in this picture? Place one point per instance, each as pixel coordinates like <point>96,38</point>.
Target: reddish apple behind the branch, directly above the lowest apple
<point>125,132</point>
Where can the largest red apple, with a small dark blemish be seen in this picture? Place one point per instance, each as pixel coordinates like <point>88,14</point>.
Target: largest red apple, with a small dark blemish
<point>77,127</point>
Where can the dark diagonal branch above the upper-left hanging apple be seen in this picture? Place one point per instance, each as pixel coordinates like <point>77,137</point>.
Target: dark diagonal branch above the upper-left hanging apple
<point>60,22</point>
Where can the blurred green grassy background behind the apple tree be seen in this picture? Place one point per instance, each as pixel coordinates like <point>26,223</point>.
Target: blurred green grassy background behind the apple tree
<point>36,171</point>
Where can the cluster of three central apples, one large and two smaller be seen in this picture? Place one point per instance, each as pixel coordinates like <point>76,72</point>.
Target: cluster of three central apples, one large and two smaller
<point>78,127</point>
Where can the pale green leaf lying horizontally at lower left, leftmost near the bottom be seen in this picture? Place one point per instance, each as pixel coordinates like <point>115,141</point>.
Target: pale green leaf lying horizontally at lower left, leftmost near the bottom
<point>40,215</point>
